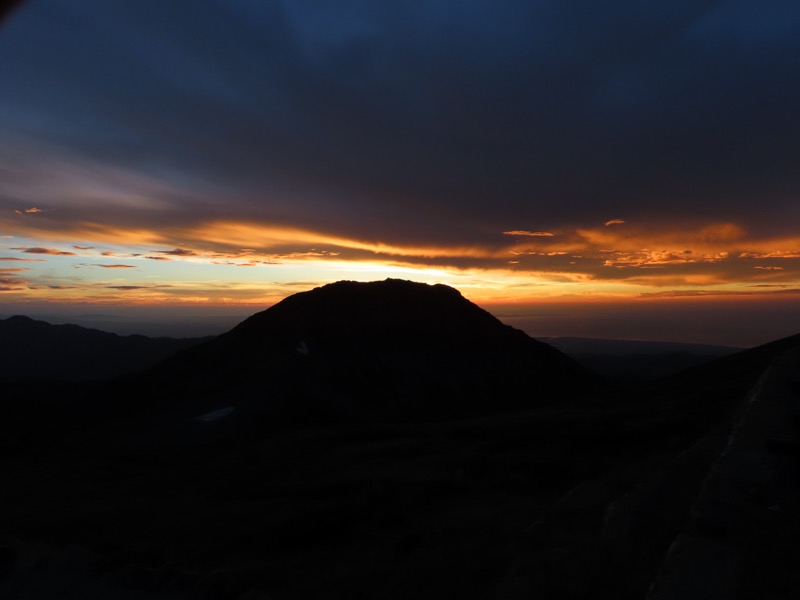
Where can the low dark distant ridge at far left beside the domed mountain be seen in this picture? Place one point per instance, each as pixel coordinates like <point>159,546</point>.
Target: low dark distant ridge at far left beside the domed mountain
<point>37,351</point>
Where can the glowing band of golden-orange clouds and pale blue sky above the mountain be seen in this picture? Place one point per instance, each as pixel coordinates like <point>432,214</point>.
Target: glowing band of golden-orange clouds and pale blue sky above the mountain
<point>201,262</point>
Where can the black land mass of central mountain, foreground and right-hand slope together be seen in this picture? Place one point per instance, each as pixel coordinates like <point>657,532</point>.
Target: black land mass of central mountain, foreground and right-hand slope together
<point>216,485</point>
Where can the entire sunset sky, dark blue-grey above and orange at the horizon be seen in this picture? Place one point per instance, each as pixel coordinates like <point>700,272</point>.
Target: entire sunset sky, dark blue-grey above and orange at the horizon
<point>605,169</point>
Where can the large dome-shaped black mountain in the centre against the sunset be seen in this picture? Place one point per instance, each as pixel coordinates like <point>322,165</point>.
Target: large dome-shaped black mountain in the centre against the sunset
<point>387,349</point>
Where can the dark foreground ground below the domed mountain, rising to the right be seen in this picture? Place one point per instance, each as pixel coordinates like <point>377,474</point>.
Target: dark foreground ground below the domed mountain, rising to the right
<point>685,489</point>
